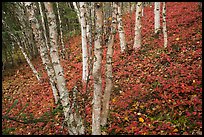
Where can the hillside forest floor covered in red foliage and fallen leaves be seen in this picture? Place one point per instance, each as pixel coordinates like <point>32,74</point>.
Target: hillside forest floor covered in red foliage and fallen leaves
<point>156,90</point>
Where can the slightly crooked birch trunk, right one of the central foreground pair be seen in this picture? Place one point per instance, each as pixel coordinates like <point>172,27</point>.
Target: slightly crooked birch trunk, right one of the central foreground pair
<point>109,75</point>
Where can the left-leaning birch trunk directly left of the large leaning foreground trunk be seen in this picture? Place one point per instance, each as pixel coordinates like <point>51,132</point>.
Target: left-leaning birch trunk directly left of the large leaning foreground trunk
<point>42,47</point>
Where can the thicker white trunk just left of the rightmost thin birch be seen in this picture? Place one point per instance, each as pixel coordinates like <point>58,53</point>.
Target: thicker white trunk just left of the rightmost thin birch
<point>156,17</point>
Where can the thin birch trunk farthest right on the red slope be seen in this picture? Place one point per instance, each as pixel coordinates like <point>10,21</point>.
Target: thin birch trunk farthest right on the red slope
<point>164,24</point>
